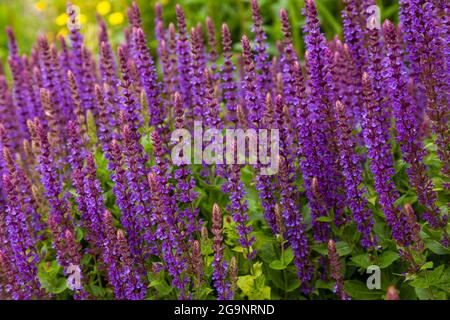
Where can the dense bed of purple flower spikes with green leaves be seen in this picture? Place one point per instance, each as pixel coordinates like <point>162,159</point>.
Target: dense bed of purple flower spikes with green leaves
<point>92,205</point>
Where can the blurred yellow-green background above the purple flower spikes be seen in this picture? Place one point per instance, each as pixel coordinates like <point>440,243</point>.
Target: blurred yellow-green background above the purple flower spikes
<point>32,17</point>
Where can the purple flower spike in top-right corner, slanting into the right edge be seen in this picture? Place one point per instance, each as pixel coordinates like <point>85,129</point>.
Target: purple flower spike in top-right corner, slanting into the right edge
<point>428,53</point>
